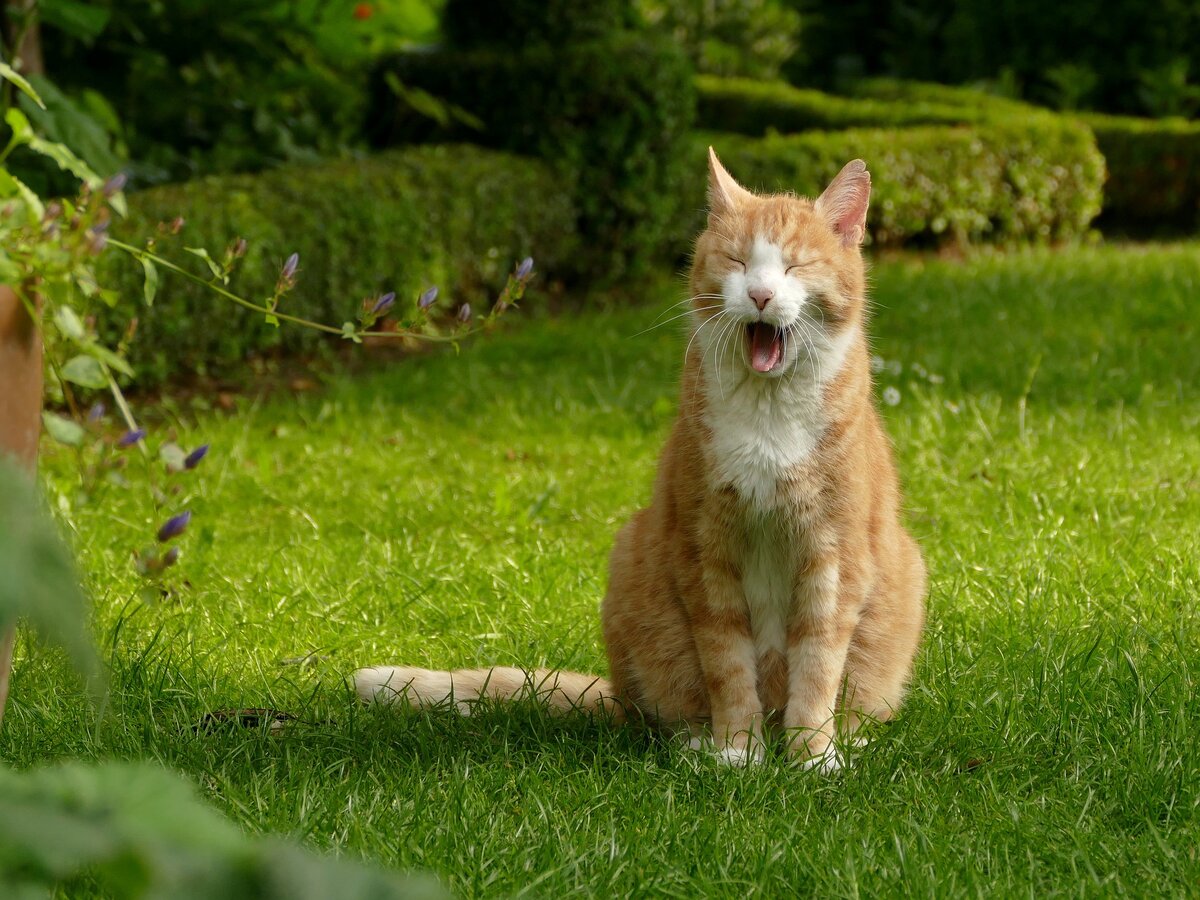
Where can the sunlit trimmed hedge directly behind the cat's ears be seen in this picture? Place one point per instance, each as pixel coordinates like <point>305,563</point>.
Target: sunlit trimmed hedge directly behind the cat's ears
<point>1033,182</point>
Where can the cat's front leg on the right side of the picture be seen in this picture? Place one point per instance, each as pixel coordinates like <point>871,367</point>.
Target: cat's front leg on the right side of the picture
<point>819,638</point>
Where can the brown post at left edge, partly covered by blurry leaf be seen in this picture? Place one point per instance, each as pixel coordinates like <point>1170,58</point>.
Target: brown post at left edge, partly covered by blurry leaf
<point>21,416</point>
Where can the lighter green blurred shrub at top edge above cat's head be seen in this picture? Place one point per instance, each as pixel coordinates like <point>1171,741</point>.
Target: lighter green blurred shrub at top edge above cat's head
<point>729,38</point>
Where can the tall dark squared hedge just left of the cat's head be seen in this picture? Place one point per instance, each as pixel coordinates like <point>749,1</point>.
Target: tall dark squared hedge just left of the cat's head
<point>615,115</point>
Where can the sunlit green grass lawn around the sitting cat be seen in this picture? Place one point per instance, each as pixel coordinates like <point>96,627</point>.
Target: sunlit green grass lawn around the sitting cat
<point>459,511</point>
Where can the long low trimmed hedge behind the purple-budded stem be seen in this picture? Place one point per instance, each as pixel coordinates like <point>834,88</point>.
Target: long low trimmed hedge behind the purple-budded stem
<point>453,217</point>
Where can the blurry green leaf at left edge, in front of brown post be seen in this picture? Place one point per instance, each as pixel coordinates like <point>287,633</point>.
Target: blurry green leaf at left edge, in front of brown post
<point>40,583</point>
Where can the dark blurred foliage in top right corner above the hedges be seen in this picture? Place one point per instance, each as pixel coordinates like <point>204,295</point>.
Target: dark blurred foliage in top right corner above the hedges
<point>1125,57</point>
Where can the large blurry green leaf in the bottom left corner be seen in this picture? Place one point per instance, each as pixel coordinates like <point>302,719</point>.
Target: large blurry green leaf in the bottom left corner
<point>136,831</point>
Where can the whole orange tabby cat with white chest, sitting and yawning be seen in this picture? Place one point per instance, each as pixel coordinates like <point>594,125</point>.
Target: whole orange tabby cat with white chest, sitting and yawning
<point>770,583</point>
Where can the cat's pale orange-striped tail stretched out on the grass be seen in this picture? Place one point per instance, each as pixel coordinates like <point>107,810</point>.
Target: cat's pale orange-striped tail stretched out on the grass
<point>561,692</point>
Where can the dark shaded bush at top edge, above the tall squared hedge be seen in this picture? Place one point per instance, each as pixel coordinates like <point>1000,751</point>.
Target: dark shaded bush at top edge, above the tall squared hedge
<point>520,23</point>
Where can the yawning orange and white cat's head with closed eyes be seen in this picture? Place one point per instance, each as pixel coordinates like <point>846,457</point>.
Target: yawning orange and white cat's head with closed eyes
<point>778,279</point>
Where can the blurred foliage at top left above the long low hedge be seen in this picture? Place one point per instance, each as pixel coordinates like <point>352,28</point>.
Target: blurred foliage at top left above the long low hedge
<point>232,88</point>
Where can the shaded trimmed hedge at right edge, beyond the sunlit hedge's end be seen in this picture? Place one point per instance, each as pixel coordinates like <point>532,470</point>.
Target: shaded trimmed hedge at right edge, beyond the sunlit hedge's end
<point>1154,171</point>
